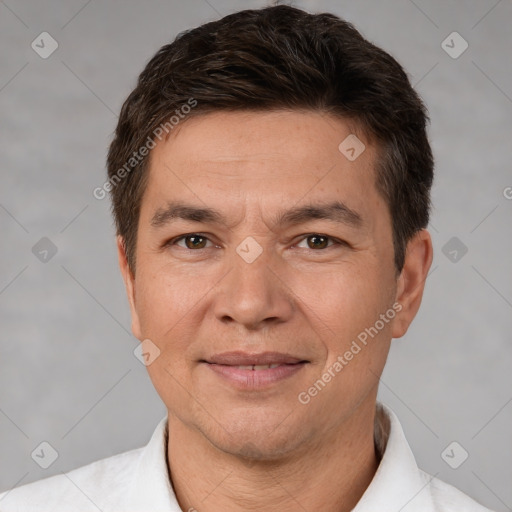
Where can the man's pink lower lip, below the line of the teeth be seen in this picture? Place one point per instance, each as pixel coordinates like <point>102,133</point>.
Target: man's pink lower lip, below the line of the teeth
<point>254,379</point>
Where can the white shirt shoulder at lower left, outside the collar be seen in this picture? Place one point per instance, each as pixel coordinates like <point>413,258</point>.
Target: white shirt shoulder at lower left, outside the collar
<point>89,487</point>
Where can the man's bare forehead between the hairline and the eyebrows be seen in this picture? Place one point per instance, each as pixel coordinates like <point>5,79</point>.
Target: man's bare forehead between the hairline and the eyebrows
<point>265,157</point>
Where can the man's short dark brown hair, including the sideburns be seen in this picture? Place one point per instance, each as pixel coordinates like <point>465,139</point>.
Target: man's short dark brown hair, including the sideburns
<point>280,58</point>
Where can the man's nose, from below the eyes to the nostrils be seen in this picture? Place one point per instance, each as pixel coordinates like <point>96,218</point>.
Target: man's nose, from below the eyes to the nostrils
<point>254,295</point>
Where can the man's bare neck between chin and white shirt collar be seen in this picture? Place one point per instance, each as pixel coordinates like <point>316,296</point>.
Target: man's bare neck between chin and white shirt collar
<point>330,474</point>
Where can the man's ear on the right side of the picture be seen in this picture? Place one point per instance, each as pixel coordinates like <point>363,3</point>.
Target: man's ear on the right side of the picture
<point>411,282</point>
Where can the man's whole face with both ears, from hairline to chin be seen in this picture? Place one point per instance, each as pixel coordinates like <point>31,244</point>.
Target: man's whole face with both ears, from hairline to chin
<point>260,242</point>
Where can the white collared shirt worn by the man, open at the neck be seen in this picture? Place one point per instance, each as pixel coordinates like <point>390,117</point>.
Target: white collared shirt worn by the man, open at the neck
<point>138,481</point>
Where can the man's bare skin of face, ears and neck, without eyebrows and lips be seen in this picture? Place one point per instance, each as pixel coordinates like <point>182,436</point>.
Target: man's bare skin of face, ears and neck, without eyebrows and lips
<point>232,449</point>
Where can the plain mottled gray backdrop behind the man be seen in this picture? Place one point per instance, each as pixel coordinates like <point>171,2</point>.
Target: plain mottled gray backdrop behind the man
<point>67,370</point>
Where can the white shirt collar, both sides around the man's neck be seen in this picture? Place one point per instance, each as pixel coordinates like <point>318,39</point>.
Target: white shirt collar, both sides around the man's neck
<point>396,486</point>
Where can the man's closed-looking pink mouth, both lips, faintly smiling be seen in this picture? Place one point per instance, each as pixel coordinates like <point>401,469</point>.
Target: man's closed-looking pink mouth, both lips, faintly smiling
<point>254,371</point>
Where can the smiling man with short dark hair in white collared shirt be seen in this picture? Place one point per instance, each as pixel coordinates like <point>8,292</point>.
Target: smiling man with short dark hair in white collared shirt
<point>270,178</point>
